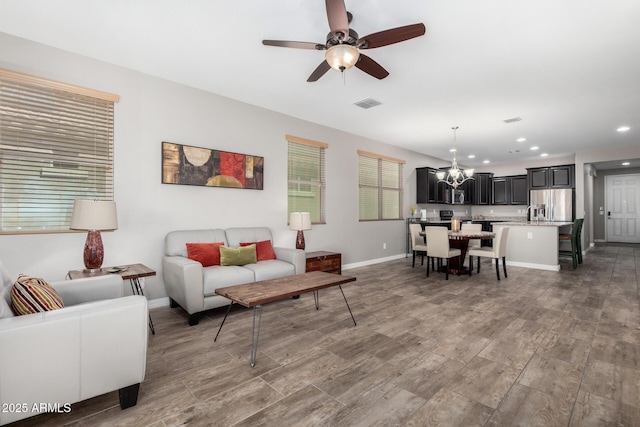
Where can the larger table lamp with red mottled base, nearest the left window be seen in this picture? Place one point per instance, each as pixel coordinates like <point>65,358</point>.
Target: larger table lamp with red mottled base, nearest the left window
<point>93,216</point>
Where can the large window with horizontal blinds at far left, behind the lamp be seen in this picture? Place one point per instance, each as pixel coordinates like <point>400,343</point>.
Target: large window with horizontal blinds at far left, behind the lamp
<point>56,145</point>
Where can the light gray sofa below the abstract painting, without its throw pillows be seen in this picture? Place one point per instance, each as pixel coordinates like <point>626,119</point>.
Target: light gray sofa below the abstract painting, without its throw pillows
<point>192,286</point>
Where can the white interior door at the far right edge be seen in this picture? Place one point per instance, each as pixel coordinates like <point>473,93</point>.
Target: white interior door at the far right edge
<point>623,207</point>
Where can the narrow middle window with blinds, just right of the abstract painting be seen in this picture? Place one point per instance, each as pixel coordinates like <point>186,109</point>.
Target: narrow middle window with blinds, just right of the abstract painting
<point>306,178</point>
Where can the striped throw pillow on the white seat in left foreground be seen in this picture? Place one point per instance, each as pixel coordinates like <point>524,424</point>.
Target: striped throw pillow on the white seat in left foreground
<point>32,295</point>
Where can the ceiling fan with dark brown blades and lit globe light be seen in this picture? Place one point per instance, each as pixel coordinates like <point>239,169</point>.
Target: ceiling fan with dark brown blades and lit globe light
<point>343,44</point>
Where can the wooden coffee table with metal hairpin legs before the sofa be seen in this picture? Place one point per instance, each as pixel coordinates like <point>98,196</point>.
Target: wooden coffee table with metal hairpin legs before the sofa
<point>258,293</point>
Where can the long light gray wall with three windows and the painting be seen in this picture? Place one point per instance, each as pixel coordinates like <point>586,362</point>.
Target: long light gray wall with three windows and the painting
<point>152,110</point>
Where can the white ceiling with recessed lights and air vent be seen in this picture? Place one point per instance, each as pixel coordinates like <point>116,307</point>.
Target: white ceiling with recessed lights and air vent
<point>569,68</point>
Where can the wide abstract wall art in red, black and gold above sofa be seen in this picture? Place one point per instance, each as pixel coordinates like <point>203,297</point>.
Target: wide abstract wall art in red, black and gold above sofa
<point>187,165</point>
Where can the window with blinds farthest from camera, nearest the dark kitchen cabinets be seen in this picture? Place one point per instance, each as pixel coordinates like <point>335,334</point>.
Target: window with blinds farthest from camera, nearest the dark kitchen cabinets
<point>380,187</point>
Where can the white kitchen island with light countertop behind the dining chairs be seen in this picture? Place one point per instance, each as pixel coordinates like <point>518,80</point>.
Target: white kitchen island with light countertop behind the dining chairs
<point>534,244</point>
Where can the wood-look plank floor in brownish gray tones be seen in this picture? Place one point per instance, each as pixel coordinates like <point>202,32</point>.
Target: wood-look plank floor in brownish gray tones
<point>537,348</point>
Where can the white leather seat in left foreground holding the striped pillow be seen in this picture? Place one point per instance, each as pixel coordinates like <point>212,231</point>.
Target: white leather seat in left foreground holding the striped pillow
<point>94,345</point>
